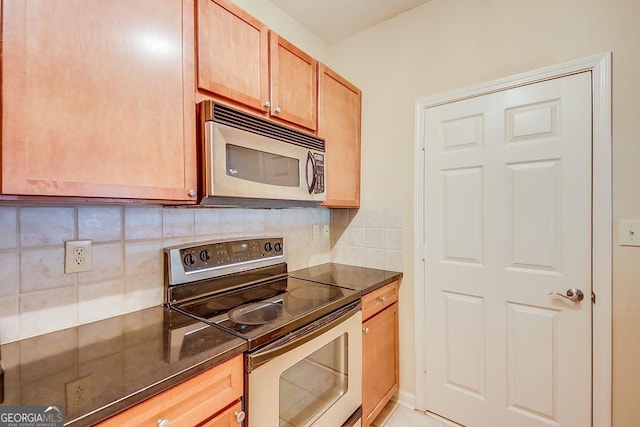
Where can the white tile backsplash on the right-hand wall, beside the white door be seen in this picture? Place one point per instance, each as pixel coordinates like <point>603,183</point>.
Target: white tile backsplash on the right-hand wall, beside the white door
<point>369,237</point>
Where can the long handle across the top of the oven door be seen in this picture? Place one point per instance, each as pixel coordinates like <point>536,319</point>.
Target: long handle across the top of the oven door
<point>301,336</point>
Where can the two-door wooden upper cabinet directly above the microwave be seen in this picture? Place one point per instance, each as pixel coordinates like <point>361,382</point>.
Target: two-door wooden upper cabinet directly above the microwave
<point>243,63</point>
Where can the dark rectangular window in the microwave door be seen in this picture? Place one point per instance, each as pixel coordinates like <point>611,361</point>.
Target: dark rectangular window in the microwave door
<point>263,167</point>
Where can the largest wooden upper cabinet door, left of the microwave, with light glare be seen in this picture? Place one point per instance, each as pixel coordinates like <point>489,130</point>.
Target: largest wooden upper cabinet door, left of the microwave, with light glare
<point>94,100</point>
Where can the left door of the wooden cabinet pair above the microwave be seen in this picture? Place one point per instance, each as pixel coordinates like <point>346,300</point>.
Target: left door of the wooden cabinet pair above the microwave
<point>232,53</point>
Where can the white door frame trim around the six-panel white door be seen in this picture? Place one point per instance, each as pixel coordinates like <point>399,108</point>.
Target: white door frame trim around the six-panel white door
<point>600,67</point>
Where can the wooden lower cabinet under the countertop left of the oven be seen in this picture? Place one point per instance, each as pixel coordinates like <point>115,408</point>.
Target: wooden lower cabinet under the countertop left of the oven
<point>212,398</point>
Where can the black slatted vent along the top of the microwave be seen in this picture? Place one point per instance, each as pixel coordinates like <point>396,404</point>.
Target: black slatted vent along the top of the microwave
<point>241,120</point>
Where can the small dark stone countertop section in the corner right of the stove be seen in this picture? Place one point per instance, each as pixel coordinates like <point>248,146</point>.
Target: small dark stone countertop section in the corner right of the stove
<point>360,279</point>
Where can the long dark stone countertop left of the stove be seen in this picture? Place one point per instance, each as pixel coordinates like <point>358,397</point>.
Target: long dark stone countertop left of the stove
<point>117,362</point>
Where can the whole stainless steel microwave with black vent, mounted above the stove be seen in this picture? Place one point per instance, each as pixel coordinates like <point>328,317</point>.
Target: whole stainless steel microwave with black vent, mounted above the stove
<point>250,161</point>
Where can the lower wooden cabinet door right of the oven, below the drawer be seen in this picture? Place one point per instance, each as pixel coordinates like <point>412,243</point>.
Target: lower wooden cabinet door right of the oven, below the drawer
<point>379,362</point>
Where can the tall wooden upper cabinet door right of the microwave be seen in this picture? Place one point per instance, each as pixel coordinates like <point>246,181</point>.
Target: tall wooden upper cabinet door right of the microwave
<point>339,105</point>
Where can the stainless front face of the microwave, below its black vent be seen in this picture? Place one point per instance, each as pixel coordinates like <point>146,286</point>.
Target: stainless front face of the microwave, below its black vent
<point>242,164</point>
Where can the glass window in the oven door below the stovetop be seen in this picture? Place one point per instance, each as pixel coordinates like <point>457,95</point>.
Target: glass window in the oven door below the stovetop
<point>314,384</point>
